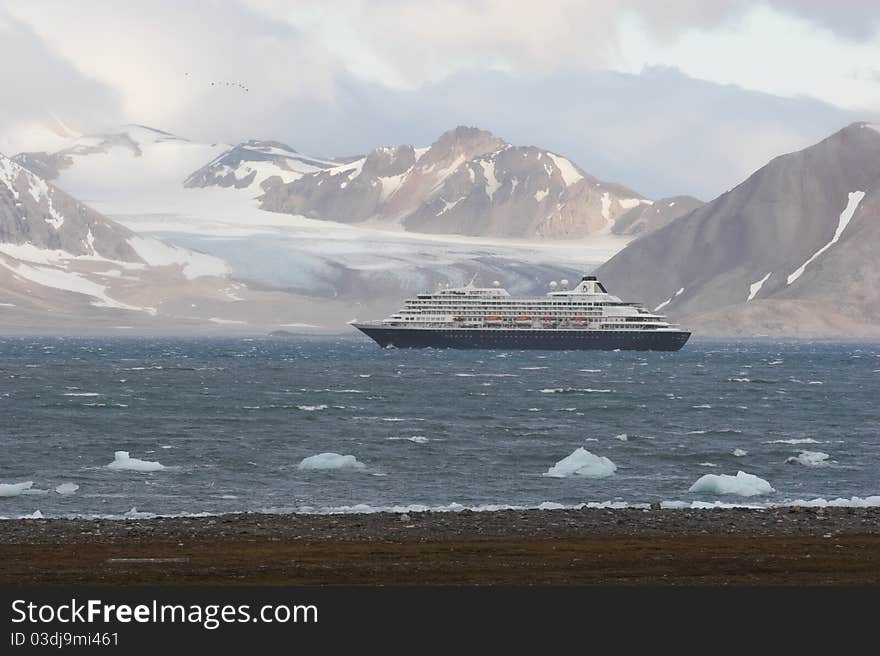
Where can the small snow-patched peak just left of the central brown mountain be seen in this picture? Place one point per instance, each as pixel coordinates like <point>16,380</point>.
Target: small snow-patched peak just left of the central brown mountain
<point>251,163</point>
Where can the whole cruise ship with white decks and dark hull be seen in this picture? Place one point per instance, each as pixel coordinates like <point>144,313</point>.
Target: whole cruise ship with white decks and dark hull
<point>470,317</point>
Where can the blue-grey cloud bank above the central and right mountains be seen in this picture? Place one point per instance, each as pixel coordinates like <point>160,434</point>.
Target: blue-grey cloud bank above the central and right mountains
<point>660,132</point>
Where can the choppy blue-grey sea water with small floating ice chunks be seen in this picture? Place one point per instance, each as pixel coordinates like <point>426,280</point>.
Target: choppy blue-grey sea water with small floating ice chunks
<point>338,424</point>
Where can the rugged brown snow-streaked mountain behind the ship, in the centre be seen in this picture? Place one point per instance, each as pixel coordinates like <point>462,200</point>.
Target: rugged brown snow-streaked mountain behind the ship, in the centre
<point>468,182</point>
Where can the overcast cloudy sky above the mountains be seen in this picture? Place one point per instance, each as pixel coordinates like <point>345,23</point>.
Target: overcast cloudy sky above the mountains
<point>682,96</point>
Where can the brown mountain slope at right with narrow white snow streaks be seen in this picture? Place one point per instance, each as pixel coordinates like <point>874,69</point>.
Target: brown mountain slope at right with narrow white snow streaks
<point>789,251</point>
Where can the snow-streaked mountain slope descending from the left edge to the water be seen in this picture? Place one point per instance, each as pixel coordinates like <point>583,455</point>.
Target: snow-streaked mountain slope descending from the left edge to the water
<point>66,268</point>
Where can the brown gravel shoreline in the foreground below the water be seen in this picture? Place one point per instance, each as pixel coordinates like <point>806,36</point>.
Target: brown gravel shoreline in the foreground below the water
<point>775,546</point>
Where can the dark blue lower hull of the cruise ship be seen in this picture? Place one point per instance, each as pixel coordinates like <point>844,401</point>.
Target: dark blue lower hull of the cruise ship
<point>525,338</point>
